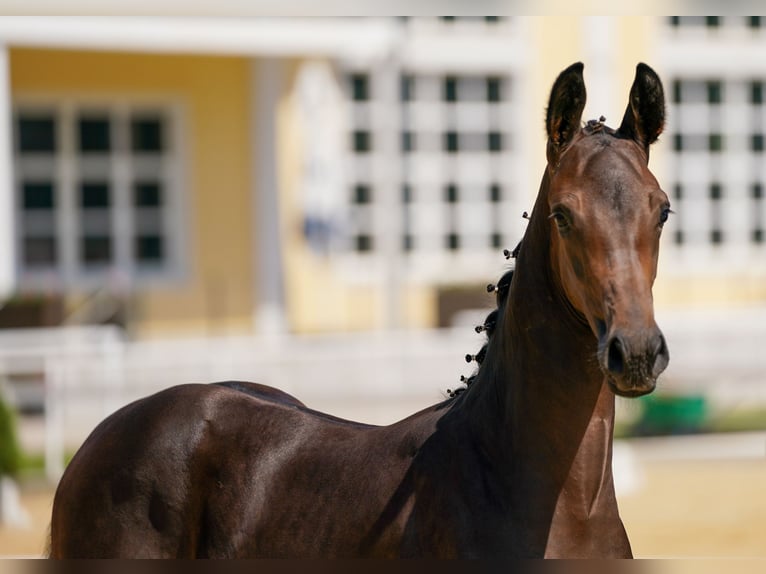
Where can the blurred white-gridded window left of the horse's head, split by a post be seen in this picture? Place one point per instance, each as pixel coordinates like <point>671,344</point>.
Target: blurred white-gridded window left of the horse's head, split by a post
<point>448,120</point>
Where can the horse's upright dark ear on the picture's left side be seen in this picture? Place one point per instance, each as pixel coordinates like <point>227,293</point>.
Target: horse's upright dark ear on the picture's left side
<point>565,107</point>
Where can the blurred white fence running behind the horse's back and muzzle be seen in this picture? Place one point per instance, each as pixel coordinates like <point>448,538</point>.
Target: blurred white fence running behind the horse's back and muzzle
<point>83,374</point>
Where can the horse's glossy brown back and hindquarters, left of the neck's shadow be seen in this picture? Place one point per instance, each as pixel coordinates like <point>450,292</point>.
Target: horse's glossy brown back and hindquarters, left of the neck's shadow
<point>216,470</point>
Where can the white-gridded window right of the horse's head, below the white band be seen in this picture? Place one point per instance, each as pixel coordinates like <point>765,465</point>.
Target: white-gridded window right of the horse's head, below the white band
<point>714,122</point>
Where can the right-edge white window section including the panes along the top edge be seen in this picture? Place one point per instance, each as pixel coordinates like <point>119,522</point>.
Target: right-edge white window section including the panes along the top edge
<point>717,132</point>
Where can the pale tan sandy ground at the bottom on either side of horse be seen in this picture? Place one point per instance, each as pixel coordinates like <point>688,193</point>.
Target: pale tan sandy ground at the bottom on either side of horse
<point>700,497</point>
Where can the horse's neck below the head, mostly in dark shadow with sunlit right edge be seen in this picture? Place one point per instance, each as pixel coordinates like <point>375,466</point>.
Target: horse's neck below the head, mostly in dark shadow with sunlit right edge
<point>542,384</point>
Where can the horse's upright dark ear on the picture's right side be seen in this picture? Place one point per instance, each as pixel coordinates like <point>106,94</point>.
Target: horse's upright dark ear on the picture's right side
<point>644,117</point>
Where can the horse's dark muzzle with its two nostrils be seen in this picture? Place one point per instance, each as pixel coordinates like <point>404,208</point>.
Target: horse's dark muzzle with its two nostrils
<point>633,361</point>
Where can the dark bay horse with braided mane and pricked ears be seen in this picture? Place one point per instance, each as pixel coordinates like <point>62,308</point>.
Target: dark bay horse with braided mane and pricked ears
<point>518,464</point>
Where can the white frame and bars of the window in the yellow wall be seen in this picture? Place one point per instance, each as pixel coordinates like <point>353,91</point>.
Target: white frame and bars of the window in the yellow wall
<point>121,273</point>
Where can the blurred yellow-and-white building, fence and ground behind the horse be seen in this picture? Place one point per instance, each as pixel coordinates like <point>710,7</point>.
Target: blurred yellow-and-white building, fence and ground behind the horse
<point>318,204</point>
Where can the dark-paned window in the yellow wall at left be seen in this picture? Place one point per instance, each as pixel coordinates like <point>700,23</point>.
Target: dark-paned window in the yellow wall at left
<point>90,218</point>
